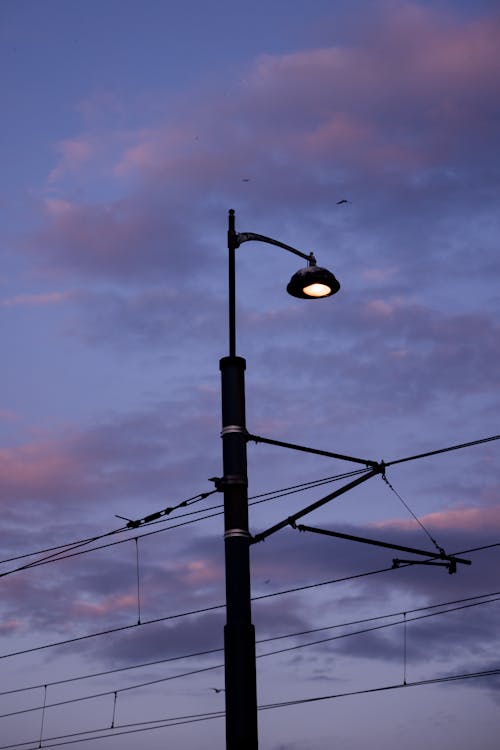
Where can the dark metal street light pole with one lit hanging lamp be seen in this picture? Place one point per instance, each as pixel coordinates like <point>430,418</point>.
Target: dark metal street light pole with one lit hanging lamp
<point>311,282</point>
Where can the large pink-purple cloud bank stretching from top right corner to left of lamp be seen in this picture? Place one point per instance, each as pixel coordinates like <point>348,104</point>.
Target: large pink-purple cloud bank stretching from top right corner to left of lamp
<point>411,95</point>
